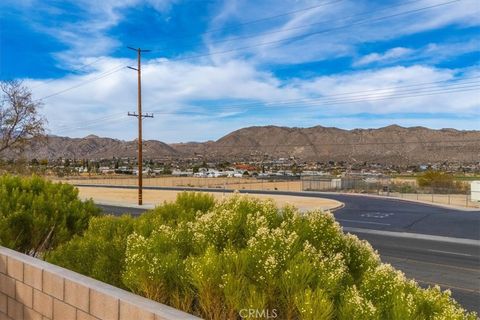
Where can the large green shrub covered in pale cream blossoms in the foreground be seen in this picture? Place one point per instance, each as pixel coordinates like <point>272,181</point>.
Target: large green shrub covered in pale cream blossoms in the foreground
<point>222,260</point>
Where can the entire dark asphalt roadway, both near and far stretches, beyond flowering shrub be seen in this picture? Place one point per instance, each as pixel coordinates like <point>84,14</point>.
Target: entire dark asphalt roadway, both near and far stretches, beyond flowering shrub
<point>443,255</point>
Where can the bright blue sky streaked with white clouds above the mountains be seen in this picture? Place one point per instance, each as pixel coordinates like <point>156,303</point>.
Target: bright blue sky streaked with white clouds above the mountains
<point>217,66</point>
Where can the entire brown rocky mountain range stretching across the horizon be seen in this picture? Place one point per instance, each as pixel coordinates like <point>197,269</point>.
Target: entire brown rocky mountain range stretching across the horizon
<point>392,144</point>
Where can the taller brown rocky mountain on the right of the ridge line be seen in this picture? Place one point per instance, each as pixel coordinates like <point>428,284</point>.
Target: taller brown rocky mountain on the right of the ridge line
<point>392,144</point>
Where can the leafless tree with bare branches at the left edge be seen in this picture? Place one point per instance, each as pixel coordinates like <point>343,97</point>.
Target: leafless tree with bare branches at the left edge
<point>20,121</point>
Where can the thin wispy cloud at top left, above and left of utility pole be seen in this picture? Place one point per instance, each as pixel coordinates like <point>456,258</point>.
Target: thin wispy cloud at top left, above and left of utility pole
<point>82,26</point>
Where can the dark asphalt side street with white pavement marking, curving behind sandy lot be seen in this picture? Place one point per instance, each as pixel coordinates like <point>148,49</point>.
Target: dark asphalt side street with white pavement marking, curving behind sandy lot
<point>383,213</point>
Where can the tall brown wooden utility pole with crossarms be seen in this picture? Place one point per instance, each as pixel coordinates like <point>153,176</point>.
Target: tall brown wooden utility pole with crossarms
<point>139,115</point>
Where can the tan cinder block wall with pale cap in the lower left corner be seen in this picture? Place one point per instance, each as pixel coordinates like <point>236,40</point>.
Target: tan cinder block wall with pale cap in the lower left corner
<point>34,289</point>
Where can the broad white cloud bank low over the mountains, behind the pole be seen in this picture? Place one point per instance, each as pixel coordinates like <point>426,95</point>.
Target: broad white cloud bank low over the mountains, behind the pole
<point>183,96</point>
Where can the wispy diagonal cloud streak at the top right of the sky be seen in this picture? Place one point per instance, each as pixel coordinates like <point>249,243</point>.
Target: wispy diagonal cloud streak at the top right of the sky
<point>337,29</point>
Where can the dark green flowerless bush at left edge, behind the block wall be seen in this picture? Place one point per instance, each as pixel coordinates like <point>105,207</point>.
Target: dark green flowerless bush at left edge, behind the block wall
<point>37,215</point>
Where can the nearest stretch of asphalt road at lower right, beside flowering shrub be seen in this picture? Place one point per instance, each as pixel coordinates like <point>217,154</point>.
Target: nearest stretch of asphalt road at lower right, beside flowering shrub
<point>451,265</point>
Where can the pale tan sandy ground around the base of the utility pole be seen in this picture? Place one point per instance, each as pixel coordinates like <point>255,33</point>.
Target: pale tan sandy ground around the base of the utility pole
<point>155,197</point>
